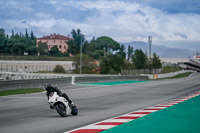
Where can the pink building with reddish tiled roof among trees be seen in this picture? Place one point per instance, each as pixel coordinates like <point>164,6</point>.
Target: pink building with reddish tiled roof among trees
<point>55,40</point>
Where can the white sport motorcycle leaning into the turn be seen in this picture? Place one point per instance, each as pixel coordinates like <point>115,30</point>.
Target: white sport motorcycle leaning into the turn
<point>61,105</point>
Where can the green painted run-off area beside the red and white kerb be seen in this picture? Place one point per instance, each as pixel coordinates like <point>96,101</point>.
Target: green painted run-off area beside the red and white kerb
<point>181,118</point>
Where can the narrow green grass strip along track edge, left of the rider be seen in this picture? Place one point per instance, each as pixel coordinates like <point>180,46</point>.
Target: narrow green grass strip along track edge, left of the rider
<point>20,91</point>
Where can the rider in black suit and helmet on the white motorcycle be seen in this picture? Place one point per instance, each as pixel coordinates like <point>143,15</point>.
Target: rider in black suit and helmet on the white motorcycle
<point>49,88</point>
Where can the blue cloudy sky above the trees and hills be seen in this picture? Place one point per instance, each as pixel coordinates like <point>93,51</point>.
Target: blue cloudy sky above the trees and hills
<point>171,23</point>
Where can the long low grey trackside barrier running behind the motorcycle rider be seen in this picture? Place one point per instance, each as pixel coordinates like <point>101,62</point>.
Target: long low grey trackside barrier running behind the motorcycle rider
<point>65,81</point>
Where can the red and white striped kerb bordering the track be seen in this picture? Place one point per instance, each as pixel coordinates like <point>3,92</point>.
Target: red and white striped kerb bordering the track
<point>110,123</point>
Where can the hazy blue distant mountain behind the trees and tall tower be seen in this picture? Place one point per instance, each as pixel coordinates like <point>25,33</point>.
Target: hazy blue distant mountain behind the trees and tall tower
<point>162,51</point>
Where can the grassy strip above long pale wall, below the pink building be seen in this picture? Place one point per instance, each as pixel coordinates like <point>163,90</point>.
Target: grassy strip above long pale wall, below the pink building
<point>49,58</point>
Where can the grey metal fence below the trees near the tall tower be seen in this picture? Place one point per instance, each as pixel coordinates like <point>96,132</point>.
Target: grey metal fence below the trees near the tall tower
<point>140,71</point>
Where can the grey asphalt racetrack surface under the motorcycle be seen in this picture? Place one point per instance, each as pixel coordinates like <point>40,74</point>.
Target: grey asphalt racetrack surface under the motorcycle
<point>30,113</point>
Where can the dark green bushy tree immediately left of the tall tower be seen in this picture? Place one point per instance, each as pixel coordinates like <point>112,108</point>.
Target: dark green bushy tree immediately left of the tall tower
<point>139,59</point>
